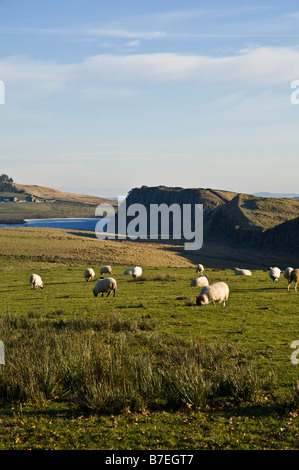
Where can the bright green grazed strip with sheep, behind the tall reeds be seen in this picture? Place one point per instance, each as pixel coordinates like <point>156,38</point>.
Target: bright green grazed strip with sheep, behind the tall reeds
<point>261,316</point>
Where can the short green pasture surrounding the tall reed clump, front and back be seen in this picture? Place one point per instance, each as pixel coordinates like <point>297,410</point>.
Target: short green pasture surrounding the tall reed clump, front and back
<point>259,323</point>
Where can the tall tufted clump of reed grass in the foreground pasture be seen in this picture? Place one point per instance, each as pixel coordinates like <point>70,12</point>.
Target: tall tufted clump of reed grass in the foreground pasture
<point>111,364</point>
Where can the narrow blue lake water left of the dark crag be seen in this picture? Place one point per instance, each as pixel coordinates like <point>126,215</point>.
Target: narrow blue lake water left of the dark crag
<point>70,224</point>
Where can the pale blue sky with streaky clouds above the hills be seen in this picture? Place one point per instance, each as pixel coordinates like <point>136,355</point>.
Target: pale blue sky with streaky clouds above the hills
<point>103,96</point>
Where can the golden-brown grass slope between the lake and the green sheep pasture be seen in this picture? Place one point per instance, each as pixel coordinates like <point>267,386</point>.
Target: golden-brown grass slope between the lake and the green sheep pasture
<point>54,245</point>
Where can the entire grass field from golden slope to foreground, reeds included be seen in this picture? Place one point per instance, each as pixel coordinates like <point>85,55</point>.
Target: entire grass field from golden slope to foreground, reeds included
<point>146,369</point>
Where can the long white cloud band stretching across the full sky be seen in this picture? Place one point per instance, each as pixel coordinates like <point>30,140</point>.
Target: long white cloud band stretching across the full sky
<point>258,66</point>
